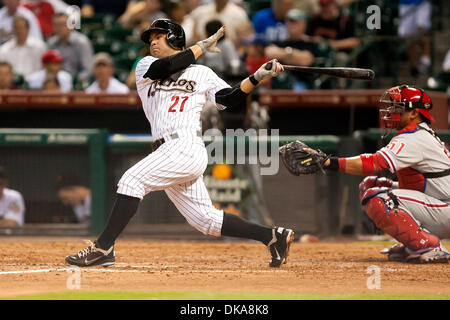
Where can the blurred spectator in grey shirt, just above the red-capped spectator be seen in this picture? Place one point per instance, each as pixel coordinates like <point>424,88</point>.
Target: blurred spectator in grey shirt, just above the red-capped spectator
<point>73,46</point>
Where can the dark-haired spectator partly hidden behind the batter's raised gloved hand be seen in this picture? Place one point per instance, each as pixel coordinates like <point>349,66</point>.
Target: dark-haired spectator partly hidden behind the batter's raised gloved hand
<point>226,63</point>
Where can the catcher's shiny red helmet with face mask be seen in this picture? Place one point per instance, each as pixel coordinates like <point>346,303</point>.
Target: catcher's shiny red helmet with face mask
<point>399,99</point>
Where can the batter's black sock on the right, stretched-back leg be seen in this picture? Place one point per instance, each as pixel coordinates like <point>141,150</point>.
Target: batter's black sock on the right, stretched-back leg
<point>234,226</point>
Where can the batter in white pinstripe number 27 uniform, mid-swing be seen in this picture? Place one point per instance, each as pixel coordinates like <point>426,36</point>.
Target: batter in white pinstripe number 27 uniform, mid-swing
<point>173,92</point>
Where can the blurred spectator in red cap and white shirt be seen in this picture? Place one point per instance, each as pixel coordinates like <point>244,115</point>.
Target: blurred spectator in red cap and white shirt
<point>52,63</point>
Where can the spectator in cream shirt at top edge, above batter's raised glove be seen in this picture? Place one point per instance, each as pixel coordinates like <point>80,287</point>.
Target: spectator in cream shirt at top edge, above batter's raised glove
<point>232,16</point>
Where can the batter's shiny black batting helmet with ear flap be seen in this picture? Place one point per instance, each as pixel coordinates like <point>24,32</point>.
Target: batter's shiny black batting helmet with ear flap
<point>176,37</point>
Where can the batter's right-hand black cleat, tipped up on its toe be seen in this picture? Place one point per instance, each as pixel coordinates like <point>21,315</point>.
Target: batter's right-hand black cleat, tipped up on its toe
<point>279,246</point>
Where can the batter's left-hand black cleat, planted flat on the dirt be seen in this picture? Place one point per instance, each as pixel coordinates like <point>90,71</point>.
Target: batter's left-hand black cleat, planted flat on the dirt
<point>92,256</point>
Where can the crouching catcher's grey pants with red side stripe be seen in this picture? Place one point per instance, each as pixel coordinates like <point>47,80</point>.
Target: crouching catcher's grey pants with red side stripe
<point>431,214</point>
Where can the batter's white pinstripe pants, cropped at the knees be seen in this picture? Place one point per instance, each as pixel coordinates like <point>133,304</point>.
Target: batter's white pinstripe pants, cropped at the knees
<point>177,167</point>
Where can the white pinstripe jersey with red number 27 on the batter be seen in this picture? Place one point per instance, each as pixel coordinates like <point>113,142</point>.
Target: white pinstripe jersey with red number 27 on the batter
<point>176,103</point>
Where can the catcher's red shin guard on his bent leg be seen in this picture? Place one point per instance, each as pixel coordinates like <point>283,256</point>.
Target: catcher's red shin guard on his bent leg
<point>395,221</point>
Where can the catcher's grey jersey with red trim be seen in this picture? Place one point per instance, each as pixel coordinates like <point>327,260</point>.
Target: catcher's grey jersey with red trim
<point>419,150</point>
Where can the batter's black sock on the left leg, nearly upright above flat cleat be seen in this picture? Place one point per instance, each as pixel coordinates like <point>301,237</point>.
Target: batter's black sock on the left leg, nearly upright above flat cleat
<point>123,210</point>
